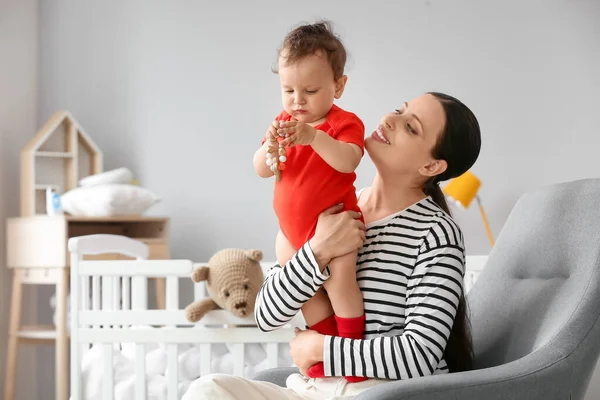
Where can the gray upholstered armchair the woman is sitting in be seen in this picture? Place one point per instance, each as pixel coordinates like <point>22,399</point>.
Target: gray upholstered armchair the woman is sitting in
<point>534,309</point>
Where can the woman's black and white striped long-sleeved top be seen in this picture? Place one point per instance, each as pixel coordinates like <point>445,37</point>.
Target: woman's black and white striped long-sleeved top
<point>410,271</point>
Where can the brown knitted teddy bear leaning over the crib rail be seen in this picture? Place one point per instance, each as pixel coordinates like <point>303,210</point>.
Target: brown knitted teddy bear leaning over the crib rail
<point>233,278</point>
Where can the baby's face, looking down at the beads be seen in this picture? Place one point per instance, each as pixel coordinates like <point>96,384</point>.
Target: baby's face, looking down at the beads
<point>308,88</point>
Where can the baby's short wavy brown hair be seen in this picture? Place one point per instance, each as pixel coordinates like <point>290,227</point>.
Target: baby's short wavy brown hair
<point>309,39</point>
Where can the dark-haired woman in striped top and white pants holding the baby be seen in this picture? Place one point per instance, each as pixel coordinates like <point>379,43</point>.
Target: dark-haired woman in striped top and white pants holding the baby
<point>410,266</point>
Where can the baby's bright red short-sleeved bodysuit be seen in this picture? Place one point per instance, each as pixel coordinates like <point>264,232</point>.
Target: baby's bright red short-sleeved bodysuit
<point>309,185</point>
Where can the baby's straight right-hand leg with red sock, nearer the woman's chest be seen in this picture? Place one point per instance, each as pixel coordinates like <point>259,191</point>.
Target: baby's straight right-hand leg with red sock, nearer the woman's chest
<point>346,299</point>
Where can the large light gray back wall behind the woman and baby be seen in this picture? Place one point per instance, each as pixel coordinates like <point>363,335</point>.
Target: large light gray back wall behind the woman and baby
<point>181,92</point>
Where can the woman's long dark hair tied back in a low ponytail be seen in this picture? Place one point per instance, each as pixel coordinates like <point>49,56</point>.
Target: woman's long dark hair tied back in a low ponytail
<point>459,145</point>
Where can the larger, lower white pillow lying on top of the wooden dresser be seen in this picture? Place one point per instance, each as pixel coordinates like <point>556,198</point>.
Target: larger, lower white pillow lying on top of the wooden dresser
<point>108,200</point>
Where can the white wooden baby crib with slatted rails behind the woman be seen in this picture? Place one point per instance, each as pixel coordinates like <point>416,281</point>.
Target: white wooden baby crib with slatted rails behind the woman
<point>109,298</point>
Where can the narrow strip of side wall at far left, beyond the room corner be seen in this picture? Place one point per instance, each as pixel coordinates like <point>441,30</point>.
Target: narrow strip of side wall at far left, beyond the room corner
<point>18,109</point>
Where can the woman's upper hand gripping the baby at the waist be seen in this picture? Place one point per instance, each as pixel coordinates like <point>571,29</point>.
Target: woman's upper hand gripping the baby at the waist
<point>337,234</point>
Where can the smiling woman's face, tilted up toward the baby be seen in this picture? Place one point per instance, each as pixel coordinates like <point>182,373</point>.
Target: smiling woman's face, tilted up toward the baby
<point>403,141</point>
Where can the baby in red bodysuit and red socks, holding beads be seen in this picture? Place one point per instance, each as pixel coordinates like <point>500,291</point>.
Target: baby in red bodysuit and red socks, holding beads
<point>313,148</point>
